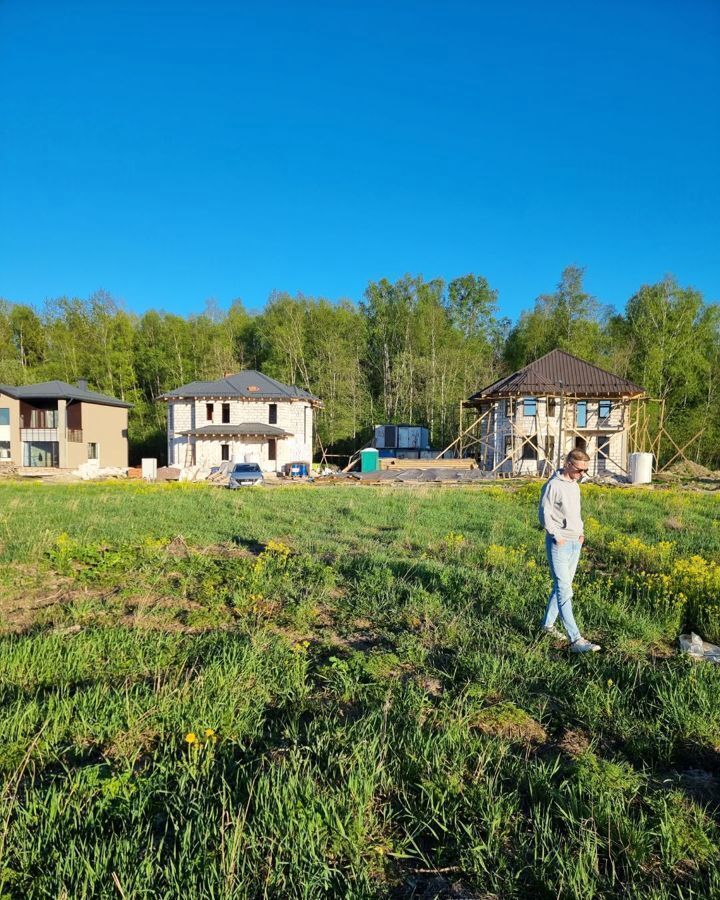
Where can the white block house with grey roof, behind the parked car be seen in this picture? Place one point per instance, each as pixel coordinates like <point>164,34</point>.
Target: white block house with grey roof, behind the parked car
<point>247,417</point>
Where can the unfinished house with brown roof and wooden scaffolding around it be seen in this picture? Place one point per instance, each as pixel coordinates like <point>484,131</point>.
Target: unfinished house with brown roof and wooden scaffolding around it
<point>525,423</point>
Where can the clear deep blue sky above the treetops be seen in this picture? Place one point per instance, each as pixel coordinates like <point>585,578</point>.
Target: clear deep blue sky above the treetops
<point>169,152</point>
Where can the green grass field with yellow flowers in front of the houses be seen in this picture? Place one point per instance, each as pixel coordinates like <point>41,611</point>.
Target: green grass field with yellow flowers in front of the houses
<point>341,692</point>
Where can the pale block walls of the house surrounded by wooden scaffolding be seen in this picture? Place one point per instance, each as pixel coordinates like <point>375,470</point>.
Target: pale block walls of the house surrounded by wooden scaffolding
<point>498,429</point>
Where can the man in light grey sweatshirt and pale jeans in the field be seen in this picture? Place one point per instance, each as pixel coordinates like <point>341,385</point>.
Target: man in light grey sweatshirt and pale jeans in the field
<point>559,514</point>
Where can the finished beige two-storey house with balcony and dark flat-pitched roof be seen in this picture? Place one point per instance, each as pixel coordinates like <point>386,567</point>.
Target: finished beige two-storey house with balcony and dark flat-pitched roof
<point>55,425</point>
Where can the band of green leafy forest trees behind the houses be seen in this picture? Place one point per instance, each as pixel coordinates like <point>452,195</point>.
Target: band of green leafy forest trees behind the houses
<point>410,351</point>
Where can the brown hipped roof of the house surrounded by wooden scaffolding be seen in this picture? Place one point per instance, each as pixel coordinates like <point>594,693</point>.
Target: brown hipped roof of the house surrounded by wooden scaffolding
<point>559,372</point>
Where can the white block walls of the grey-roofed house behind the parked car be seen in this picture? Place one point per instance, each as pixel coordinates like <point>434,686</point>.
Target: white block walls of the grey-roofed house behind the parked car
<point>293,416</point>
